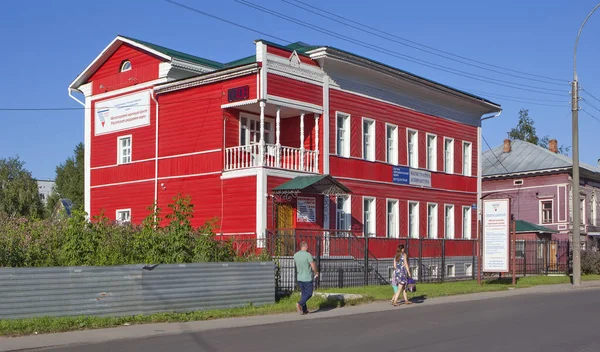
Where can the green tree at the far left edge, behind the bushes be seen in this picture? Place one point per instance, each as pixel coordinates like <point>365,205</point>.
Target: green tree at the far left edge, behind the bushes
<point>18,190</point>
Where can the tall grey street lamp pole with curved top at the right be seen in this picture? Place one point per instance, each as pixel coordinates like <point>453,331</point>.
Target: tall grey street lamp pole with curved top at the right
<point>575,131</point>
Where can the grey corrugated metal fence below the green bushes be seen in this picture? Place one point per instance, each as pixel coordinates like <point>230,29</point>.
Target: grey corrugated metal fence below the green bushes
<point>133,289</point>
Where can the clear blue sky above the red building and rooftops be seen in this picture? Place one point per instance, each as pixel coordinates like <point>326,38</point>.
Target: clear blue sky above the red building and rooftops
<point>46,44</point>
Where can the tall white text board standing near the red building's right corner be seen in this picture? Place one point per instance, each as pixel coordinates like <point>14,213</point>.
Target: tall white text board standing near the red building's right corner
<point>496,232</point>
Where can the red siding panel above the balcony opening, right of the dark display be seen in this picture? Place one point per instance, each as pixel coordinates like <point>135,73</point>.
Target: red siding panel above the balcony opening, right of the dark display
<point>292,89</point>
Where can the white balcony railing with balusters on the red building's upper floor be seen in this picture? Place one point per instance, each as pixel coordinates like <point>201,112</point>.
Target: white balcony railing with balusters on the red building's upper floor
<point>282,157</point>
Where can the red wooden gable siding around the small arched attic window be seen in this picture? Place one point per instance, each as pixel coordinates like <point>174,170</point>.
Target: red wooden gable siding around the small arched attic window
<point>144,68</point>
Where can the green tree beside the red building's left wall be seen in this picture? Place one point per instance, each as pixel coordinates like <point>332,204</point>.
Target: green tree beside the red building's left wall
<point>70,180</point>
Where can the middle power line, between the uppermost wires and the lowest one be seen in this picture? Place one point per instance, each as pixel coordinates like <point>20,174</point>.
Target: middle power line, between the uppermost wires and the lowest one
<point>402,56</point>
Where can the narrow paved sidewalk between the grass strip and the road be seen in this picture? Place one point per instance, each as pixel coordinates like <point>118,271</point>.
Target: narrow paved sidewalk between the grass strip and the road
<point>149,330</point>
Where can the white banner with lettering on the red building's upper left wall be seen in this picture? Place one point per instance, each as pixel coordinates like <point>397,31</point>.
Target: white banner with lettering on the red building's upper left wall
<point>122,113</point>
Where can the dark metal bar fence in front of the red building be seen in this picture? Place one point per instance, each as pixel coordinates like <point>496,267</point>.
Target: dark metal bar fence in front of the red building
<point>346,260</point>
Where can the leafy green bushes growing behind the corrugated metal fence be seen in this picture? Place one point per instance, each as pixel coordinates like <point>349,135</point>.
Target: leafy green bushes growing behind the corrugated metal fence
<point>77,242</point>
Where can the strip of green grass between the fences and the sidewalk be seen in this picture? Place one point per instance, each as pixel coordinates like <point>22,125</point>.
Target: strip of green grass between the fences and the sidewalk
<point>29,326</point>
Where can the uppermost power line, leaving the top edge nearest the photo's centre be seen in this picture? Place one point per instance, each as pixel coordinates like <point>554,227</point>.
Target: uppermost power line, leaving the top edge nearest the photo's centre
<point>417,46</point>
